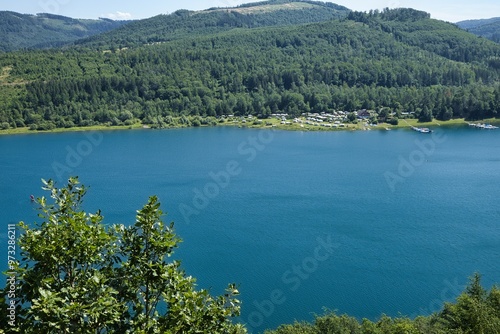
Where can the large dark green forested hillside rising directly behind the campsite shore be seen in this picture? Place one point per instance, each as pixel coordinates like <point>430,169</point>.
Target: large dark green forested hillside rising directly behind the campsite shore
<point>400,59</point>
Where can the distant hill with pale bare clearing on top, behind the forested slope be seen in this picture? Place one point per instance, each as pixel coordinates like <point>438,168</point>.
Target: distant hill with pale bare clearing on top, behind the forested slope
<point>184,23</point>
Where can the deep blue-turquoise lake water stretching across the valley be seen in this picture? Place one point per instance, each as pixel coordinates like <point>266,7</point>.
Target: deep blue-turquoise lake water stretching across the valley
<point>363,223</point>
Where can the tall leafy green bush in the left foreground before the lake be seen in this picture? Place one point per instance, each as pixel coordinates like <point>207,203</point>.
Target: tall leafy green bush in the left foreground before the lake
<point>78,276</point>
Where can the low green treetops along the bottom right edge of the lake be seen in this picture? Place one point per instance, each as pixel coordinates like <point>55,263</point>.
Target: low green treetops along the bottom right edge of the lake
<point>476,311</point>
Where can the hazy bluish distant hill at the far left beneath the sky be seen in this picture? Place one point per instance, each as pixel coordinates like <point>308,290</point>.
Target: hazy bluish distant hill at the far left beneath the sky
<point>20,31</point>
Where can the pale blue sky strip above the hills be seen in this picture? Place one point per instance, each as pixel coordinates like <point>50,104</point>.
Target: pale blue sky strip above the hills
<point>448,10</point>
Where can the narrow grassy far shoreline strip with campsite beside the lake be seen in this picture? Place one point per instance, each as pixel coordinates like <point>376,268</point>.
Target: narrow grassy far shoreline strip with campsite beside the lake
<point>265,124</point>
